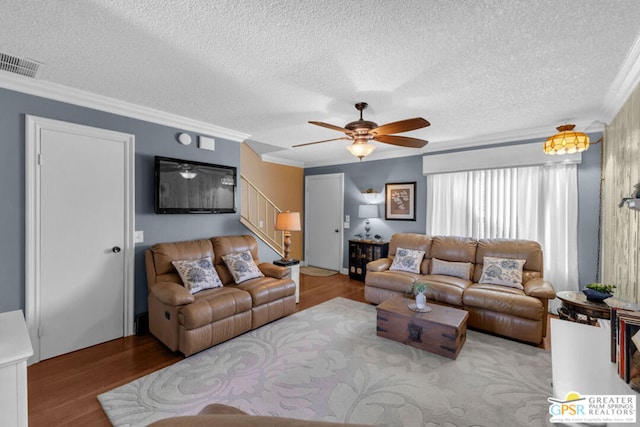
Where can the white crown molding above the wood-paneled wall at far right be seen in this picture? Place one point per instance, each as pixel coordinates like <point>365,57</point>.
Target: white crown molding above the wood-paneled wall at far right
<point>624,83</point>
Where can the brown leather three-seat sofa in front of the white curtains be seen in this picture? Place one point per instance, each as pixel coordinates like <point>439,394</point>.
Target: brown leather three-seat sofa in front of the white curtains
<point>507,311</point>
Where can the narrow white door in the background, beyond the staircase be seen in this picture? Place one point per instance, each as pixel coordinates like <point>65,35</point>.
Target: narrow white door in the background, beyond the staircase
<point>323,220</point>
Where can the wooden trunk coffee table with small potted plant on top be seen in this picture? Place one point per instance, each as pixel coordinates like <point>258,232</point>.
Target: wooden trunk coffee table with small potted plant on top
<point>443,330</point>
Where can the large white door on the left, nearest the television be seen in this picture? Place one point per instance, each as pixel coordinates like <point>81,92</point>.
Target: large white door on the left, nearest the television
<point>81,293</point>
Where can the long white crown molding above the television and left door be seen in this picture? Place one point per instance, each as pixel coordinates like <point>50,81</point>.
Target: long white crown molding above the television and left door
<point>82,98</point>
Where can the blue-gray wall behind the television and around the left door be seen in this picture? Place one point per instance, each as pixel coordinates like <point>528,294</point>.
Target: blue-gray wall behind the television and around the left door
<point>150,140</point>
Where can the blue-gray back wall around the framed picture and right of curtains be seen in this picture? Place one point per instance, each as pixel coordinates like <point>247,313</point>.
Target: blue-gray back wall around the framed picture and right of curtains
<point>374,174</point>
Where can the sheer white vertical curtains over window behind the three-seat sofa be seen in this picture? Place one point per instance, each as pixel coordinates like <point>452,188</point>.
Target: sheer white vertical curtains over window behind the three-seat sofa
<point>535,203</point>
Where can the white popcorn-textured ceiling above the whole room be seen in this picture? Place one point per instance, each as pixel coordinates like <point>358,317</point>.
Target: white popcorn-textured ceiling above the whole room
<point>480,71</point>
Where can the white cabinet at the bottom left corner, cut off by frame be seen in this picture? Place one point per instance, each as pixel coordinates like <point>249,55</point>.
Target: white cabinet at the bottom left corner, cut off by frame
<point>15,349</point>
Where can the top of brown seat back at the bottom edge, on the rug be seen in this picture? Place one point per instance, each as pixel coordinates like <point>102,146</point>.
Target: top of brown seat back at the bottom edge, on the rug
<point>228,416</point>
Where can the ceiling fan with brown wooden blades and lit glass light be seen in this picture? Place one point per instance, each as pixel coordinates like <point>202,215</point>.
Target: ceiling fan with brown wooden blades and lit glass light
<point>362,131</point>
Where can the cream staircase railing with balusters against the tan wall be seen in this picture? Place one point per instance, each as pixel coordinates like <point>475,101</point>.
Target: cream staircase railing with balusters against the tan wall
<point>258,214</point>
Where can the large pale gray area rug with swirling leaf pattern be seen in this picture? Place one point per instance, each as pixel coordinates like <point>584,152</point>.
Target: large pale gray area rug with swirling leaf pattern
<point>326,363</point>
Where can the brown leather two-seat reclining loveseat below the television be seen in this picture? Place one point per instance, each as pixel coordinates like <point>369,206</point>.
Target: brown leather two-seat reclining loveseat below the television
<point>193,322</point>
